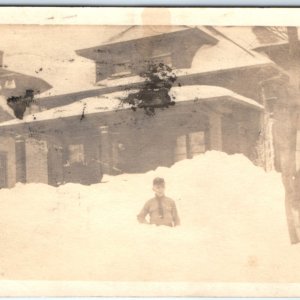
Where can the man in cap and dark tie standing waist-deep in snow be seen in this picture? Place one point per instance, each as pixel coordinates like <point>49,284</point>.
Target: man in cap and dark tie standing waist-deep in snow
<point>161,209</point>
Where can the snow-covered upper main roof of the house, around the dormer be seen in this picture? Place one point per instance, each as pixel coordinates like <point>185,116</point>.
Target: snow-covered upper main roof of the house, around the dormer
<point>225,55</point>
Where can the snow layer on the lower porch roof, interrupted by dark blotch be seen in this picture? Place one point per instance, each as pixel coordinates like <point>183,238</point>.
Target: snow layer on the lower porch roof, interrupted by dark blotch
<point>111,102</point>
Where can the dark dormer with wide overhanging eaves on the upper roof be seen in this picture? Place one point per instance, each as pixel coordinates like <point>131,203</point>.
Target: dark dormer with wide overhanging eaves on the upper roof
<point>175,47</point>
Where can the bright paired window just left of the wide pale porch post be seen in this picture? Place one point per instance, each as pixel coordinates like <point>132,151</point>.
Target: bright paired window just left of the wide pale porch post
<point>189,145</point>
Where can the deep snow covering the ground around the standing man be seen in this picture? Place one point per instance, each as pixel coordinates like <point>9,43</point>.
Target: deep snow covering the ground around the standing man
<point>233,227</point>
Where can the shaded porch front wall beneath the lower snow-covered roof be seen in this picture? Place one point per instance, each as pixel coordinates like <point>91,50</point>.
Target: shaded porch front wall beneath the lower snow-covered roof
<point>74,150</point>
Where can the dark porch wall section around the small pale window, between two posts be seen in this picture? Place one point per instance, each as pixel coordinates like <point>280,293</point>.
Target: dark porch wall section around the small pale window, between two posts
<point>73,153</point>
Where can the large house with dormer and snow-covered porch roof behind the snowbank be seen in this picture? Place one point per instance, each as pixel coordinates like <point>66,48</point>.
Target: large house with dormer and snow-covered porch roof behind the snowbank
<point>216,108</point>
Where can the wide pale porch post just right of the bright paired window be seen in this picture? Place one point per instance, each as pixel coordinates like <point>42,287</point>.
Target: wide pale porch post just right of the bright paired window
<point>215,131</point>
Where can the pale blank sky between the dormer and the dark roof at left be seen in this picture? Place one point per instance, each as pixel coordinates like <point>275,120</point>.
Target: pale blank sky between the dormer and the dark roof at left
<point>52,48</point>
